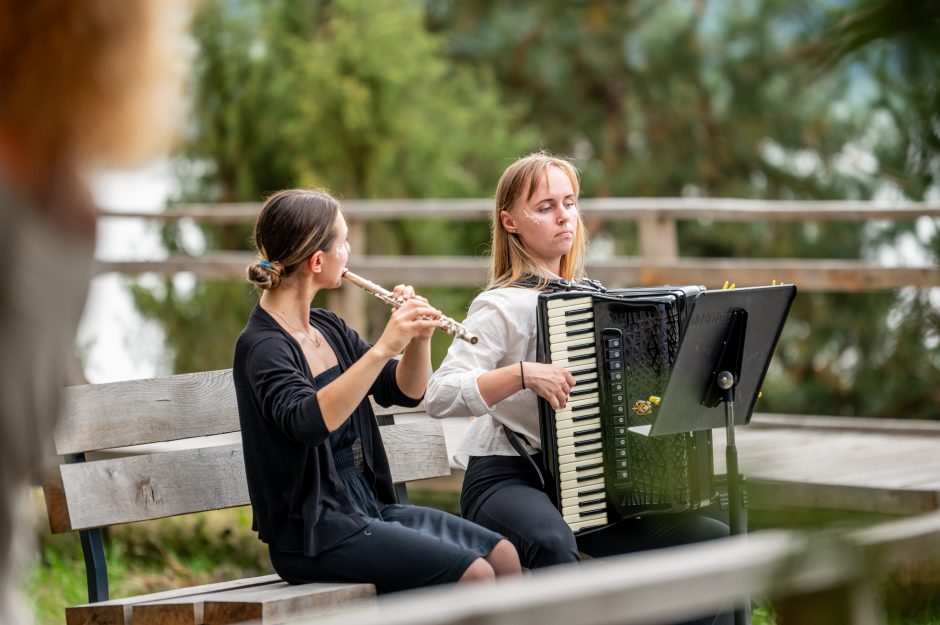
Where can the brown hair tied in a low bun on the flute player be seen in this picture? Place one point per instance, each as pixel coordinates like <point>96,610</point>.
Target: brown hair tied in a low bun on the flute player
<point>293,225</point>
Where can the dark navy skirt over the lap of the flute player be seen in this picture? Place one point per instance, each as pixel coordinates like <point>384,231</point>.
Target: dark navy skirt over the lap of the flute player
<point>410,547</point>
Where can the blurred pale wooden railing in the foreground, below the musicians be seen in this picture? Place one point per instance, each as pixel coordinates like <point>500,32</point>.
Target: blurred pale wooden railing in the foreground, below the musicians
<point>812,580</point>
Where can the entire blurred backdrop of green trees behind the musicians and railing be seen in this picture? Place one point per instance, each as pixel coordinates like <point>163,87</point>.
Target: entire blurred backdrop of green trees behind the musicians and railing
<point>759,99</point>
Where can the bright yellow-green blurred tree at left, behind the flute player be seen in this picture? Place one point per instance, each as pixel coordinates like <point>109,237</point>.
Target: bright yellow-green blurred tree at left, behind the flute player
<point>353,95</point>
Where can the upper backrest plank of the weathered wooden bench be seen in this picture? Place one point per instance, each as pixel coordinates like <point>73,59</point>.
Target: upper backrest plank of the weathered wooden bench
<point>140,412</point>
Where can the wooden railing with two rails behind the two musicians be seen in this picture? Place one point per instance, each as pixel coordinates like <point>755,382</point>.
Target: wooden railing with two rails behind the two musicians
<point>659,261</point>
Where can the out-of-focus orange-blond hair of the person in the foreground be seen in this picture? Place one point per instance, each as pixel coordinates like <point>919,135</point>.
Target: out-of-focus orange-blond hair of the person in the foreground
<point>90,80</point>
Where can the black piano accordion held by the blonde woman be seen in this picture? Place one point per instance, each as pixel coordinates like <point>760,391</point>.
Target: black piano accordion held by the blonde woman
<point>619,345</point>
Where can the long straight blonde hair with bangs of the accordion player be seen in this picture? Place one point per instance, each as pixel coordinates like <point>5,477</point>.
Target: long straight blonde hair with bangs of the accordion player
<point>510,261</point>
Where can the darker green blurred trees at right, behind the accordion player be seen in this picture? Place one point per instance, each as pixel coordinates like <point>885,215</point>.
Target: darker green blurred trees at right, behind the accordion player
<point>764,99</point>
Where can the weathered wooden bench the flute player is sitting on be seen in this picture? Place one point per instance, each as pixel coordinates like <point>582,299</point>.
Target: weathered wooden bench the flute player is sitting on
<point>103,483</point>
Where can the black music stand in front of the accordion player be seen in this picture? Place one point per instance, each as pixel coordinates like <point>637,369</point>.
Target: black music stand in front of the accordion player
<point>723,358</point>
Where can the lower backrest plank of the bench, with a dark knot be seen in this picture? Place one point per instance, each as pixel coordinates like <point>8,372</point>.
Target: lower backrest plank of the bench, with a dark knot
<point>145,487</point>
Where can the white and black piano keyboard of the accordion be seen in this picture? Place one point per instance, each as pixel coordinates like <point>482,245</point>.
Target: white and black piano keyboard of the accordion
<point>578,427</point>
